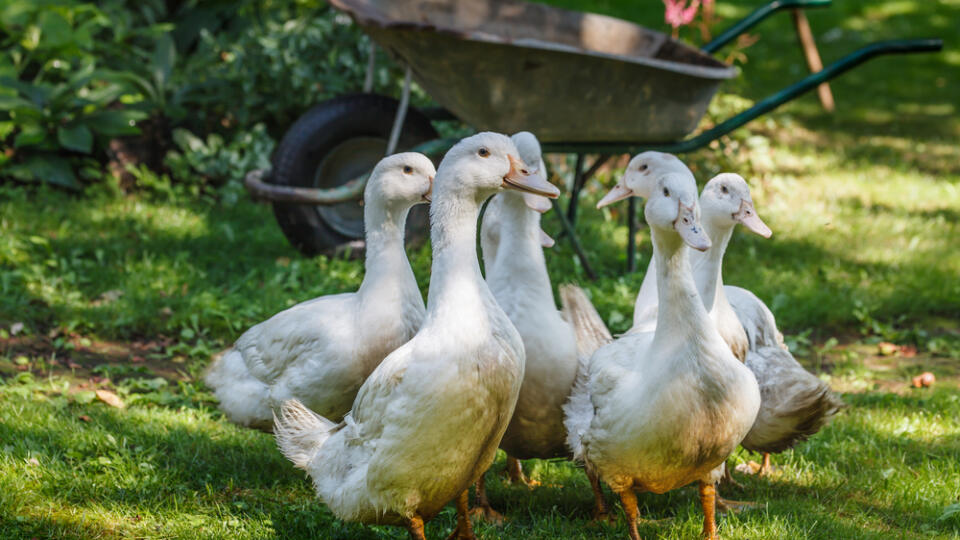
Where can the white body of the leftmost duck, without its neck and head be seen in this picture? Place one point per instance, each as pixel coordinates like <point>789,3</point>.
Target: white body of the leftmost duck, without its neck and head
<point>291,354</point>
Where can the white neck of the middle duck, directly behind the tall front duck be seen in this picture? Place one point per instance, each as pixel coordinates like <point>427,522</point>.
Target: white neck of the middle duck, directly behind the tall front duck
<point>518,256</point>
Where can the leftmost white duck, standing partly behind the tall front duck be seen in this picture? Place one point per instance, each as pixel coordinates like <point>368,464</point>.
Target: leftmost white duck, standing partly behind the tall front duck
<point>320,351</point>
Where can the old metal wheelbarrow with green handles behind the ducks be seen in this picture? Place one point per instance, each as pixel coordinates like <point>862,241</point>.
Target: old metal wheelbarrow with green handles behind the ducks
<point>582,82</point>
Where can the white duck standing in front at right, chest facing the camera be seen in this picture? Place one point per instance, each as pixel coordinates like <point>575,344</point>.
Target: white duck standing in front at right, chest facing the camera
<point>655,411</point>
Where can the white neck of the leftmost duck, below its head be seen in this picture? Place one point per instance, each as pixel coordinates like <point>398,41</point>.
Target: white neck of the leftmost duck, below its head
<point>385,259</point>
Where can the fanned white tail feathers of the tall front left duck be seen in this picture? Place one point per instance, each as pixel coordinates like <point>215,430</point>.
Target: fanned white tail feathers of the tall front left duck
<point>300,432</point>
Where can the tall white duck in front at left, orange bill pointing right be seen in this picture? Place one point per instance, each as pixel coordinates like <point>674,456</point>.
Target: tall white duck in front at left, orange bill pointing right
<point>427,422</point>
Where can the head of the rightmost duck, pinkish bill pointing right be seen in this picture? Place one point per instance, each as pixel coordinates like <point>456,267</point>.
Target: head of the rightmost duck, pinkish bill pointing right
<point>726,201</point>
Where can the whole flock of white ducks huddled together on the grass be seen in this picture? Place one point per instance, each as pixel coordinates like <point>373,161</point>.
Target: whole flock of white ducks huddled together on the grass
<point>396,408</point>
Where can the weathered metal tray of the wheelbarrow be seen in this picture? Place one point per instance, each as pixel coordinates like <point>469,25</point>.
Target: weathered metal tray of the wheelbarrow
<point>507,66</point>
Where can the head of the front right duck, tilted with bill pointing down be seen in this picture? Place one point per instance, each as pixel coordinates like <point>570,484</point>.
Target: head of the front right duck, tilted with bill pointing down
<point>672,205</point>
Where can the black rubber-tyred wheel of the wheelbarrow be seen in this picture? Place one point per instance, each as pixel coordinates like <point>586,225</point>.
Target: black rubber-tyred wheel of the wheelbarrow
<point>332,143</point>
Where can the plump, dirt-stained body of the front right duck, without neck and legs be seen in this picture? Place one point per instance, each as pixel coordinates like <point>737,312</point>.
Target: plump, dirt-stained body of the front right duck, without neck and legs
<point>691,405</point>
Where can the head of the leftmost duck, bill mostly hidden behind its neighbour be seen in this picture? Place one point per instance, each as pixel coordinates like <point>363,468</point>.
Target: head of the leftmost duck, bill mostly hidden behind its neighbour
<point>404,179</point>
